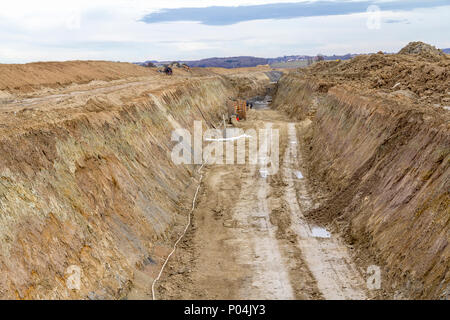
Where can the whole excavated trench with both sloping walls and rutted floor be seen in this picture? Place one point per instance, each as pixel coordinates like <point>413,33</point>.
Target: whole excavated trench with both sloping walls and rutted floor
<point>360,184</point>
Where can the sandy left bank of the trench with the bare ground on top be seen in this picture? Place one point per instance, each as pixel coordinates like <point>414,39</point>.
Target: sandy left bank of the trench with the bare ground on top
<point>86,177</point>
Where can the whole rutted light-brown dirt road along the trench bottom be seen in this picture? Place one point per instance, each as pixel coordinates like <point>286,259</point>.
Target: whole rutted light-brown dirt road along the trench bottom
<point>249,238</point>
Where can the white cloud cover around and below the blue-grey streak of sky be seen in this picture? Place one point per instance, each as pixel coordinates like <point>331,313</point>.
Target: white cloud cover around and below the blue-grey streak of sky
<point>110,30</point>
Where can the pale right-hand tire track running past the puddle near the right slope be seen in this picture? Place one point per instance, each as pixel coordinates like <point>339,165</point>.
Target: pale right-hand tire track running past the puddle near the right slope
<point>328,259</point>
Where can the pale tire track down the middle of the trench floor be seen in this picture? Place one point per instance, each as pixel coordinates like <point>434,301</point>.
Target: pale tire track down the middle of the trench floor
<point>259,246</point>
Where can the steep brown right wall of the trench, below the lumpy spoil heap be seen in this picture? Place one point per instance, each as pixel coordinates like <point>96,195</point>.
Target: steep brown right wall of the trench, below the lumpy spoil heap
<point>379,169</point>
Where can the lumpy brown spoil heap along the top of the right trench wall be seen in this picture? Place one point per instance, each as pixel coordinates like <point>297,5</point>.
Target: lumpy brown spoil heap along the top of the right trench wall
<point>415,78</point>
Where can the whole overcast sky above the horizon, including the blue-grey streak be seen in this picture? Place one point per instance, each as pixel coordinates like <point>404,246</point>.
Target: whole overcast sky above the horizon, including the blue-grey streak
<point>139,30</point>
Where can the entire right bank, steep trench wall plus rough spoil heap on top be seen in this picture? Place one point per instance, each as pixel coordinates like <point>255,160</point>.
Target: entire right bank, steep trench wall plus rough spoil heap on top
<point>379,147</point>
